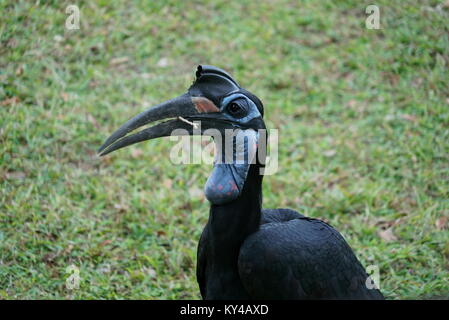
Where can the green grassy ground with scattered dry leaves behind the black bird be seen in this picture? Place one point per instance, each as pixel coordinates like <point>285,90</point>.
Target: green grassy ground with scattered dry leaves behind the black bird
<point>364,137</point>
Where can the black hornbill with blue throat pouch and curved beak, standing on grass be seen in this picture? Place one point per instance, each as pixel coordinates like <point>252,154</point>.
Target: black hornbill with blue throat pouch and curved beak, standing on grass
<point>246,252</point>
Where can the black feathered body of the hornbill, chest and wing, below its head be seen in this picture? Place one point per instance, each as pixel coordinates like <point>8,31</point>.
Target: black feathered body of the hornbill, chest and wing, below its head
<point>275,254</point>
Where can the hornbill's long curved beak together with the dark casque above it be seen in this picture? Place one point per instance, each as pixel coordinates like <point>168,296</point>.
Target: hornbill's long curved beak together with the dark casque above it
<point>200,103</point>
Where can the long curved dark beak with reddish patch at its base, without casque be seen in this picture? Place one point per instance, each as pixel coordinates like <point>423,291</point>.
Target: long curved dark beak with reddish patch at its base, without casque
<point>176,112</point>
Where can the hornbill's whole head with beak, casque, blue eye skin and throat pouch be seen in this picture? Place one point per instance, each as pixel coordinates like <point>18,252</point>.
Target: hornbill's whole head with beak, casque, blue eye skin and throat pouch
<point>220,106</point>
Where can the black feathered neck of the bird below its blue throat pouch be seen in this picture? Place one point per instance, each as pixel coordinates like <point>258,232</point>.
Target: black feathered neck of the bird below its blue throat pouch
<point>231,223</point>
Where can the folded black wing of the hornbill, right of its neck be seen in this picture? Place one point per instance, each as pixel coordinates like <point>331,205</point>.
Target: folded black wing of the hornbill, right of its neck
<point>301,258</point>
